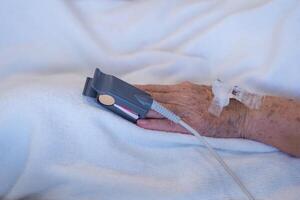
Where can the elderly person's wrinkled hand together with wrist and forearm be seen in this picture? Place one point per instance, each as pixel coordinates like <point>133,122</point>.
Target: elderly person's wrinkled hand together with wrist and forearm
<point>276,123</point>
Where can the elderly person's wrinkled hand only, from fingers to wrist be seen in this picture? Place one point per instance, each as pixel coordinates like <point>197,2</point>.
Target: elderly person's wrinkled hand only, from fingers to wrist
<point>191,102</point>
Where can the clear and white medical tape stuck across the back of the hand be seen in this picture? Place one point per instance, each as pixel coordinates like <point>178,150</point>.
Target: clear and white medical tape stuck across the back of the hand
<point>223,93</point>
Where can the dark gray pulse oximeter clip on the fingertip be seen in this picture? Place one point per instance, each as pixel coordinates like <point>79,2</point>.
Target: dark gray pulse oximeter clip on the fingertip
<point>118,96</point>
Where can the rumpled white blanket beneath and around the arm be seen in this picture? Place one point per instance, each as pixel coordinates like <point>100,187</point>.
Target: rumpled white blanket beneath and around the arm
<point>56,144</point>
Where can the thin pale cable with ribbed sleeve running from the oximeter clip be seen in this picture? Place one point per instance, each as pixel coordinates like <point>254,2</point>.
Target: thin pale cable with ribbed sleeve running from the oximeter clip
<point>176,119</point>
